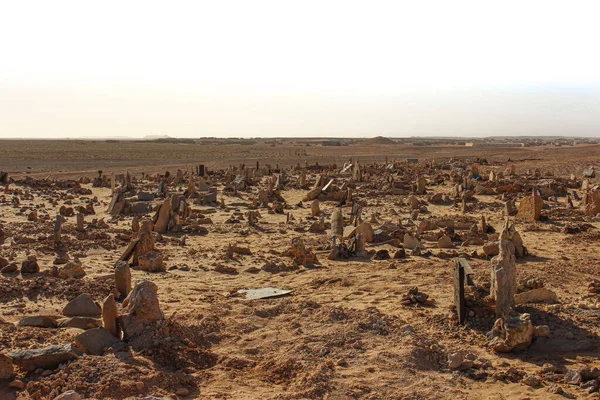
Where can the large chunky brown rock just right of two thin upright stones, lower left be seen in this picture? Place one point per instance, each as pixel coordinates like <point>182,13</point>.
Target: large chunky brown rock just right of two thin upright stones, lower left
<point>140,309</point>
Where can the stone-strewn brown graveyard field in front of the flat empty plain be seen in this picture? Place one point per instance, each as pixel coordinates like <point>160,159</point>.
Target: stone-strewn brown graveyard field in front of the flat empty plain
<point>444,278</point>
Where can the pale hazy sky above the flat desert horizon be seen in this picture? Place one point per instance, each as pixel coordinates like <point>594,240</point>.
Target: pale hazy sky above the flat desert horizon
<point>300,68</point>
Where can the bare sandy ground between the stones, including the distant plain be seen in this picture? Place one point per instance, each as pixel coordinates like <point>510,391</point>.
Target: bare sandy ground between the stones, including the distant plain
<point>342,333</point>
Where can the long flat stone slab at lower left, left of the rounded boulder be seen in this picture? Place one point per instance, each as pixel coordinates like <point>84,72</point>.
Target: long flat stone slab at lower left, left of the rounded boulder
<point>48,357</point>
